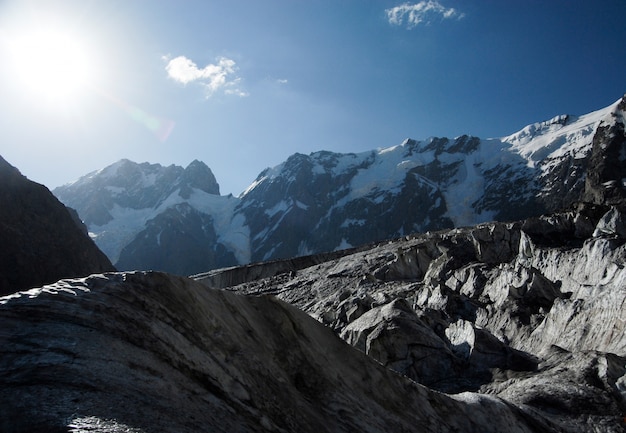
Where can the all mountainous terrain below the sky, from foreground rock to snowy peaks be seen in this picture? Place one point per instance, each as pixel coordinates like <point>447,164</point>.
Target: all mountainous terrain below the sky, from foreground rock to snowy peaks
<point>513,325</point>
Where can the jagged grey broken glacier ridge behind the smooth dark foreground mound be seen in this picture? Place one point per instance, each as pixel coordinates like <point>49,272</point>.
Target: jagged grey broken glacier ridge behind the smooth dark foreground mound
<point>531,312</point>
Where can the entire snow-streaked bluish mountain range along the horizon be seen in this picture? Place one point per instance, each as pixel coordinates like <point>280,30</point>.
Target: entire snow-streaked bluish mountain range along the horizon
<point>140,214</point>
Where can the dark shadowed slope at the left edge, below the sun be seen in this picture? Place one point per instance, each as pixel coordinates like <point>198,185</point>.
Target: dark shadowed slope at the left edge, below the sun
<point>42,241</point>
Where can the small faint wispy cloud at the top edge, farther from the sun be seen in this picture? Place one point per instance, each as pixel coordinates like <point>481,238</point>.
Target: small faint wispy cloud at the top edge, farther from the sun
<point>422,12</point>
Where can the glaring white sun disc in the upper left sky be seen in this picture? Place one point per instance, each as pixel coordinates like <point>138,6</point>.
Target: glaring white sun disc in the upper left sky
<point>51,64</point>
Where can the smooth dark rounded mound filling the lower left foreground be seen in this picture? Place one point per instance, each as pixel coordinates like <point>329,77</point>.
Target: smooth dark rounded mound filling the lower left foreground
<point>148,352</point>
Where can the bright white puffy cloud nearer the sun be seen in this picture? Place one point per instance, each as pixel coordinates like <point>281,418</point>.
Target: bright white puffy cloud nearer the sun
<point>220,76</point>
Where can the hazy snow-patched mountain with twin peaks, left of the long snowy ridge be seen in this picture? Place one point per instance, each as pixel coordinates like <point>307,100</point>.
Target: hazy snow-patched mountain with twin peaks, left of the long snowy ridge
<point>142,216</point>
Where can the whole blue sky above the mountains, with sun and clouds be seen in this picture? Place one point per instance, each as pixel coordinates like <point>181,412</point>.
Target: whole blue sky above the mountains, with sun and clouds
<point>241,85</point>
